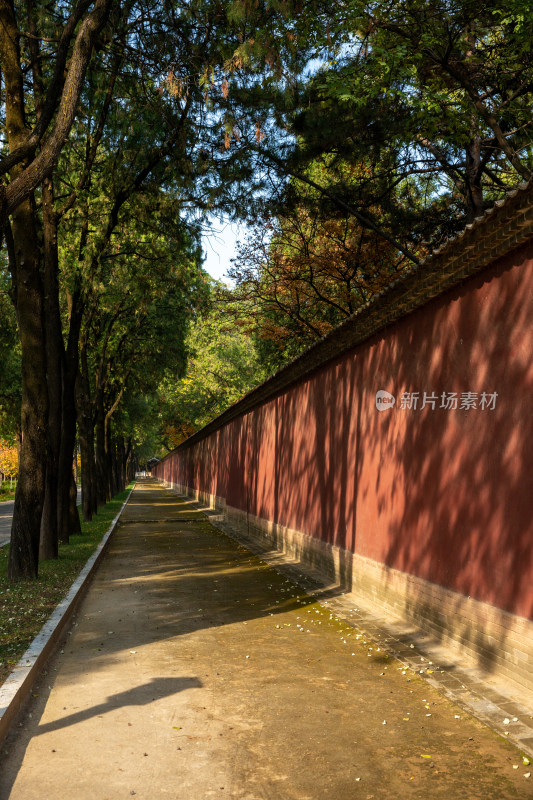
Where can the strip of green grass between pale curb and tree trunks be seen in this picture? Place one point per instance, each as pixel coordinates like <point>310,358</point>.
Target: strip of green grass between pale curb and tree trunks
<point>25,606</point>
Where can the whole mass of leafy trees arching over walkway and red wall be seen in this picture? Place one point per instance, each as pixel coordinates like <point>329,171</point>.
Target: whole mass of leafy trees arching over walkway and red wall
<point>352,137</point>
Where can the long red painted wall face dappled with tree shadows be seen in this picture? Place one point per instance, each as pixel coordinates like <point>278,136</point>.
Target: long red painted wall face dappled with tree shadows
<point>441,494</point>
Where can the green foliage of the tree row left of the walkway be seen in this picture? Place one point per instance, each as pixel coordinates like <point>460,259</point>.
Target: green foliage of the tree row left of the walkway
<point>128,243</point>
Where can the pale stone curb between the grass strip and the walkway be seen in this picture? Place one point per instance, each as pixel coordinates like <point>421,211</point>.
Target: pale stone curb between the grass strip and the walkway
<point>17,686</point>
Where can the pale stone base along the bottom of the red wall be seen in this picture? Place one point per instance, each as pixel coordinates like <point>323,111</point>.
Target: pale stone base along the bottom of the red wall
<point>496,642</point>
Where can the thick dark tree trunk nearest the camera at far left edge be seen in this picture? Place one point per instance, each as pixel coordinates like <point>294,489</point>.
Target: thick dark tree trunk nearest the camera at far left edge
<point>27,294</point>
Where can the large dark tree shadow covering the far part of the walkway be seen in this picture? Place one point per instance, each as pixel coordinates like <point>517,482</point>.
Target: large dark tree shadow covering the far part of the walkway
<point>173,576</point>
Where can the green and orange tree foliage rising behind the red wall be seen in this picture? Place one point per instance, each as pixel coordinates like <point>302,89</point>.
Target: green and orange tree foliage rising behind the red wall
<point>412,118</point>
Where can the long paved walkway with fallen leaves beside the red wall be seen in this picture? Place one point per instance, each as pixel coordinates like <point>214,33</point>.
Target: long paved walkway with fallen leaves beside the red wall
<point>195,671</point>
